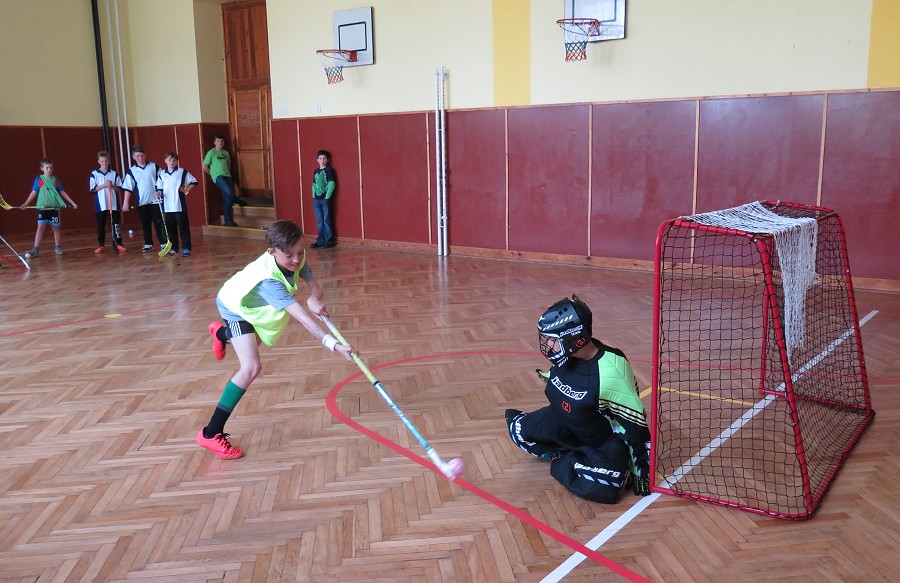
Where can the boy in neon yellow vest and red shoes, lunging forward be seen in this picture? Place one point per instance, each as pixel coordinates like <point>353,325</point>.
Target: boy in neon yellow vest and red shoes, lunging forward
<point>256,304</point>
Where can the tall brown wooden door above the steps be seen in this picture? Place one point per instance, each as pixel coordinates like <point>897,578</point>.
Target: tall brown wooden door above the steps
<point>249,95</point>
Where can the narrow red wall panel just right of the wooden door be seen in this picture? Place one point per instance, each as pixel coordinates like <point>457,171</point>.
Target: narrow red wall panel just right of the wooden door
<point>285,165</point>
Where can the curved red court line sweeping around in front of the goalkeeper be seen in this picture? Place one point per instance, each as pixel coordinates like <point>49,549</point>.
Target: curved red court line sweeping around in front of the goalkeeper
<point>331,402</point>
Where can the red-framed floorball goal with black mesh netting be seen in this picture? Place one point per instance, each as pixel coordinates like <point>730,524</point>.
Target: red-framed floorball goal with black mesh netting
<point>759,382</point>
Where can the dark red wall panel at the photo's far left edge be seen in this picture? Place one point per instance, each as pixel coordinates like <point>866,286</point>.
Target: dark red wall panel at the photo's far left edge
<point>21,150</point>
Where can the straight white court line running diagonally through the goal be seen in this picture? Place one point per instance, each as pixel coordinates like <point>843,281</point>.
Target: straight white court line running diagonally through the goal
<point>607,533</point>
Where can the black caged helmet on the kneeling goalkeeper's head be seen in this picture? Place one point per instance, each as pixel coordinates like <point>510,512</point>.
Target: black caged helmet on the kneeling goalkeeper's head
<point>564,329</point>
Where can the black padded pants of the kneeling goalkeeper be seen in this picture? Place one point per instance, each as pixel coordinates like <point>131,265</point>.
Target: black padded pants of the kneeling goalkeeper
<point>595,472</point>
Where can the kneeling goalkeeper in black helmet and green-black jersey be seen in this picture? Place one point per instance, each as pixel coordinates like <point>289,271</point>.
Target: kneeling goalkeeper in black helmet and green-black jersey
<point>594,431</point>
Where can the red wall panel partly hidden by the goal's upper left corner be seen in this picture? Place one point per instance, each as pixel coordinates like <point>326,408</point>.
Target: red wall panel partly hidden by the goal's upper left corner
<point>642,174</point>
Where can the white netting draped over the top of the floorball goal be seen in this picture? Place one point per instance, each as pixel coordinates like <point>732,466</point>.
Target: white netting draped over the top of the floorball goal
<point>795,243</point>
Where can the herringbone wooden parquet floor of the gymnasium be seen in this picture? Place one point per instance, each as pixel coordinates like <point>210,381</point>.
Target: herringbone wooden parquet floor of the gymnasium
<point>107,376</point>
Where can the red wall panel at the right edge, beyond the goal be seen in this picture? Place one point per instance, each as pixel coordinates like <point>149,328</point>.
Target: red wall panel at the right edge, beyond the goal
<point>861,178</point>
